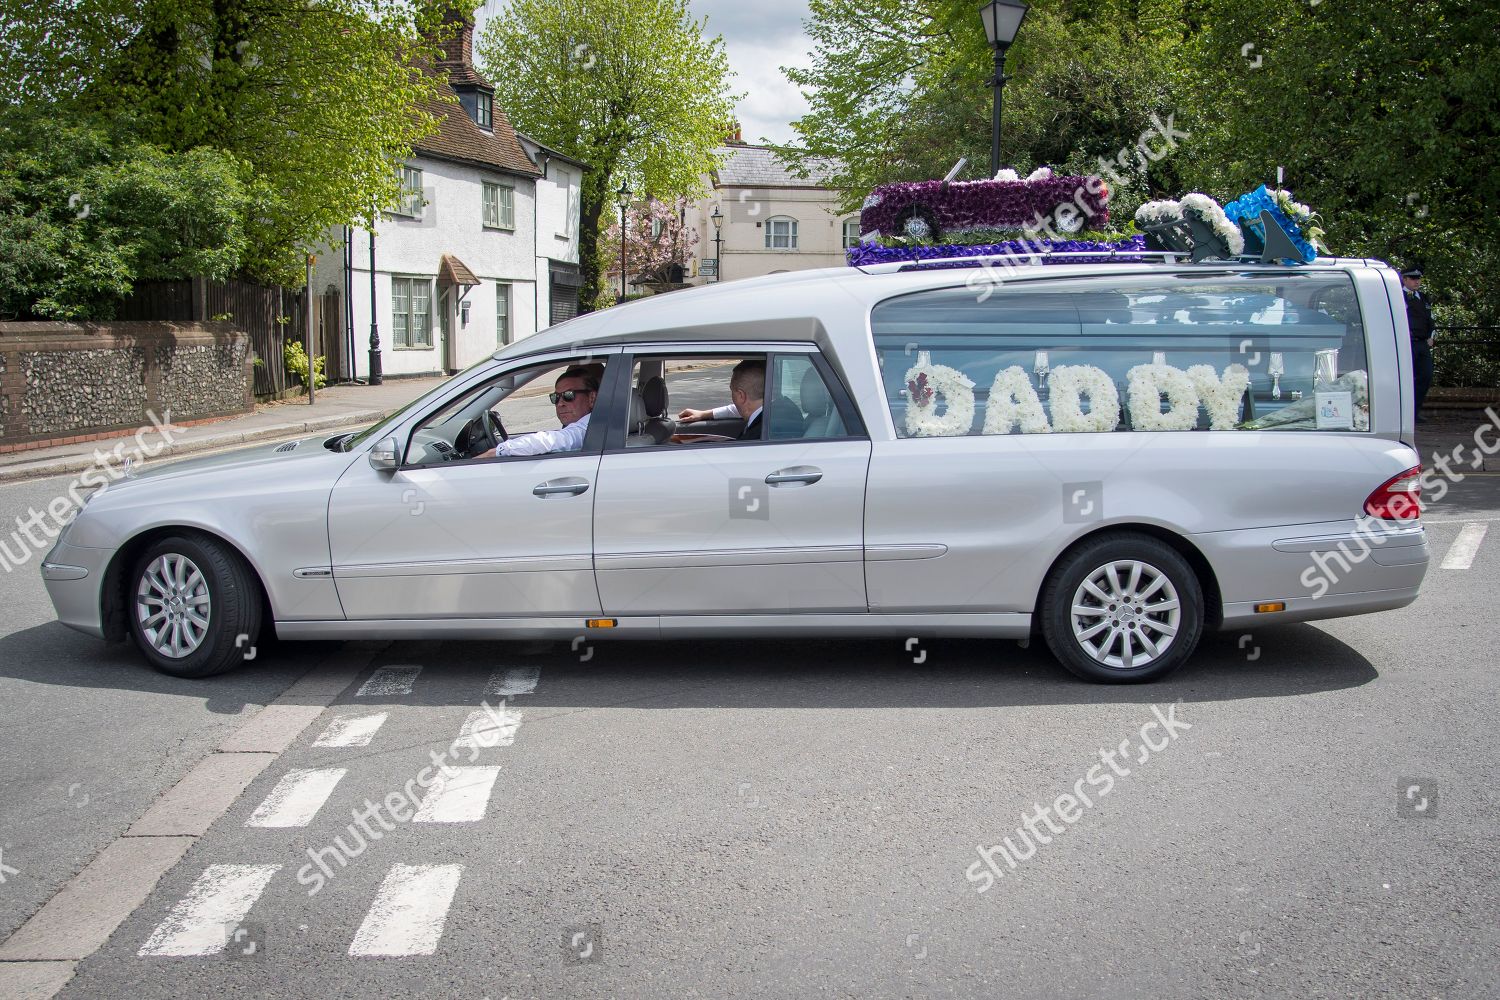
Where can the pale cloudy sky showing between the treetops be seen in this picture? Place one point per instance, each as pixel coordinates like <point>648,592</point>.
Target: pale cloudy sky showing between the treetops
<point>760,37</point>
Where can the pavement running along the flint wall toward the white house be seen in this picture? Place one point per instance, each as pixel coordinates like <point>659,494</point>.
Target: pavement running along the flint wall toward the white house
<point>337,407</point>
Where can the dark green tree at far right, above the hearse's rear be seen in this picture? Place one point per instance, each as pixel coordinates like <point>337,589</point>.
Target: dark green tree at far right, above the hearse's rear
<point>1399,146</point>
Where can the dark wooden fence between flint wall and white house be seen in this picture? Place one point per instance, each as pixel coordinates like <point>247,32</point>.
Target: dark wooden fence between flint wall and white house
<point>271,316</point>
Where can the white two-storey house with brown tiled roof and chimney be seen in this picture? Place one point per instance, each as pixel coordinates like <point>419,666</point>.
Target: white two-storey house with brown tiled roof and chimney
<point>482,253</point>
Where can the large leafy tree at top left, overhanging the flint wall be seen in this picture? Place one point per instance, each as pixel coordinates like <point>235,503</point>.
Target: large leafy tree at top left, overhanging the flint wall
<point>308,104</point>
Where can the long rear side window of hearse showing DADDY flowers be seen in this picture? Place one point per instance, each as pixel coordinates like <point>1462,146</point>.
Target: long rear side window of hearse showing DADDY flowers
<point>1142,353</point>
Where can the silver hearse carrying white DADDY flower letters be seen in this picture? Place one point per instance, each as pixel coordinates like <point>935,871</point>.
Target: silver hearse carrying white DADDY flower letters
<point>1112,457</point>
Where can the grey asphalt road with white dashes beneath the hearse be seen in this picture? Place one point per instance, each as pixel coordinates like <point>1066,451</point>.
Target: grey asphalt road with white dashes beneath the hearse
<point>793,819</point>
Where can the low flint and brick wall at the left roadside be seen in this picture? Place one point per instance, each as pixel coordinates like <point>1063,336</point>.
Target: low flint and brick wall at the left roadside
<point>64,382</point>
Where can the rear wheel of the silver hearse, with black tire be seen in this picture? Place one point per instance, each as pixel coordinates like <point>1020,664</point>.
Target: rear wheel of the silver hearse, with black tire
<point>1123,626</point>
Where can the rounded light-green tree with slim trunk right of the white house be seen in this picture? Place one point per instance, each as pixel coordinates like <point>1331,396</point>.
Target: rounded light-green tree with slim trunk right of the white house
<point>631,88</point>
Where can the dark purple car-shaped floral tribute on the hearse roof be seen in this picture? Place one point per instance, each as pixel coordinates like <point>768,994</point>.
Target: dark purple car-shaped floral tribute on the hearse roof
<point>941,211</point>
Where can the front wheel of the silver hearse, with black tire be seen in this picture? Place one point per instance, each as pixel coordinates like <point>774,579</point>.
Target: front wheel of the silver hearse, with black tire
<point>170,584</point>
